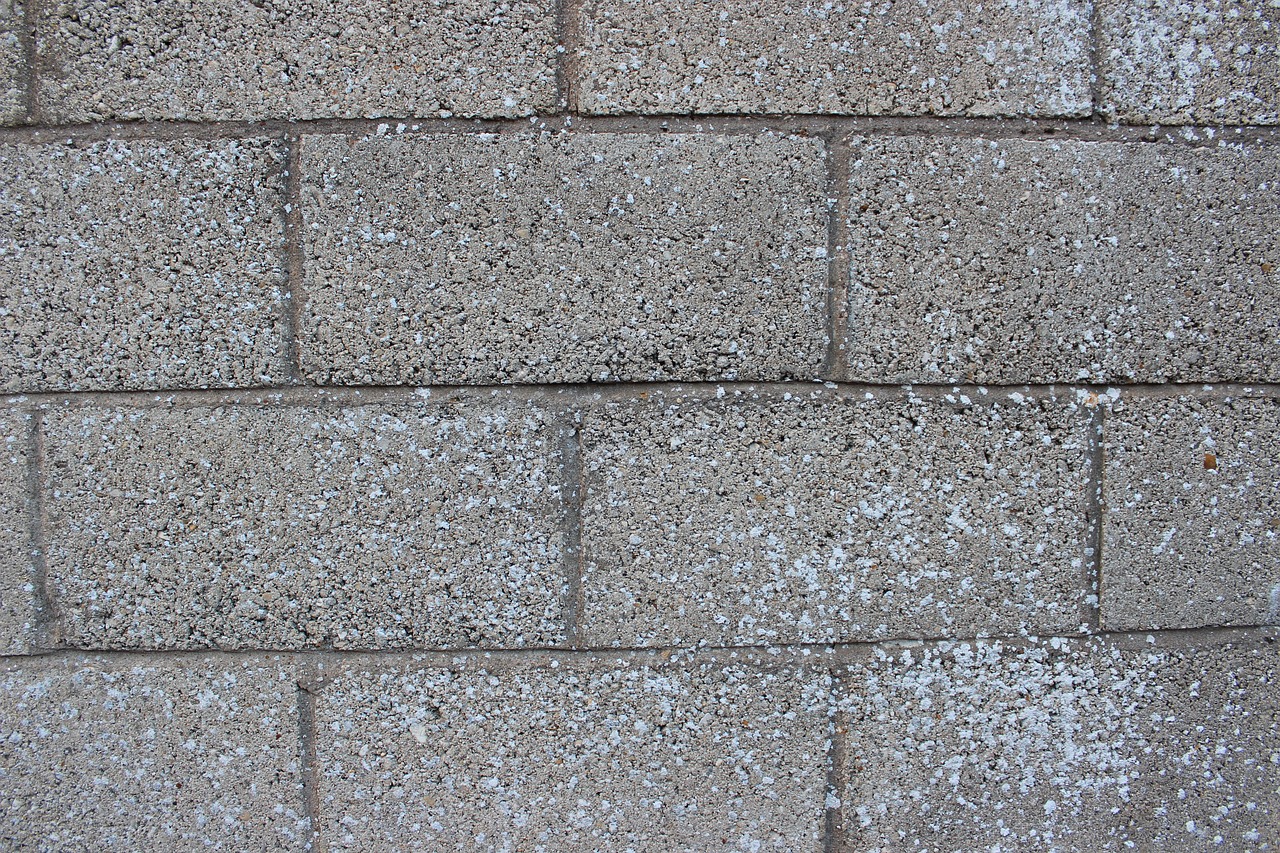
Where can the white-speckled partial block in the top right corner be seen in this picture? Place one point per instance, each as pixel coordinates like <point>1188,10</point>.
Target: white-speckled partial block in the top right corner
<point>1183,63</point>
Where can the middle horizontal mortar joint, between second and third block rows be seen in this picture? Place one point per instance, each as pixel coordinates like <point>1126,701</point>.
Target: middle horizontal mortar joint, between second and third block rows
<point>606,391</point>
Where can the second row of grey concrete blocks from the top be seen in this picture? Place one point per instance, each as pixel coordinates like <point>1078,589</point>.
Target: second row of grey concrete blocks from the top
<point>426,258</point>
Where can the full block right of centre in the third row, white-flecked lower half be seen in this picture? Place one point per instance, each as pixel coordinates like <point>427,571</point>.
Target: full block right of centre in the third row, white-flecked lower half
<point>783,518</point>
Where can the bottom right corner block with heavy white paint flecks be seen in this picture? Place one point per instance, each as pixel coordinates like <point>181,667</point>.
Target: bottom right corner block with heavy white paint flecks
<point>1063,747</point>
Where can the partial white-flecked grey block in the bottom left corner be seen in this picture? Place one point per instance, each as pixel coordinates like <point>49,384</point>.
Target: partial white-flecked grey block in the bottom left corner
<point>150,755</point>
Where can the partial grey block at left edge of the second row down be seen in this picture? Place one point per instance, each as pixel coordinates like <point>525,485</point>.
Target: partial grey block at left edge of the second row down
<point>141,264</point>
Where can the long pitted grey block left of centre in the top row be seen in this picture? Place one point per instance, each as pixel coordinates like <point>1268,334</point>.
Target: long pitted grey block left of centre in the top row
<point>211,61</point>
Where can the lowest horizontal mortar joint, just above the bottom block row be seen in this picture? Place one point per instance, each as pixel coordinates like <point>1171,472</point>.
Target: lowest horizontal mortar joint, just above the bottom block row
<point>1164,638</point>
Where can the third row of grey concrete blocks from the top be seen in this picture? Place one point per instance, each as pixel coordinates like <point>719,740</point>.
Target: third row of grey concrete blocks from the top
<point>678,517</point>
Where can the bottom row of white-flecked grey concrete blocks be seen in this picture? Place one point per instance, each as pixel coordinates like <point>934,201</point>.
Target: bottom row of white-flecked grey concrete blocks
<point>1105,745</point>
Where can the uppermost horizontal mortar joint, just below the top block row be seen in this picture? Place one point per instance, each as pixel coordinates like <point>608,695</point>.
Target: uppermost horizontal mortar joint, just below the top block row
<point>1073,129</point>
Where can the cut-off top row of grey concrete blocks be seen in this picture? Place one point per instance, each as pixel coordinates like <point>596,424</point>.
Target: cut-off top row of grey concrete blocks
<point>1133,61</point>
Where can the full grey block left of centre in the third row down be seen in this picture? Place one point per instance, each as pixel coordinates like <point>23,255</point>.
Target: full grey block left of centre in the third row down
<point>424,523</point>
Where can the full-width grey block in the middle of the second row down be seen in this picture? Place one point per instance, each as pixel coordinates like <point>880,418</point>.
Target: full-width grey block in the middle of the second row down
<point>563,258</point>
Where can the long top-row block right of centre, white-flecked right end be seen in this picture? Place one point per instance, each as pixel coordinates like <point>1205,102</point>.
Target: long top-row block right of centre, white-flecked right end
<point>1011,58</point>
